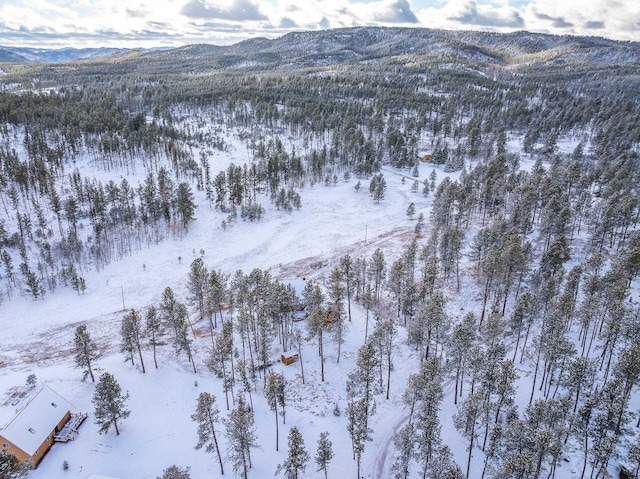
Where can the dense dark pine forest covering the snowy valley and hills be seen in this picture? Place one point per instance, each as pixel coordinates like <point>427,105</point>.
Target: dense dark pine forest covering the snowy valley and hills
<point>546,237</point>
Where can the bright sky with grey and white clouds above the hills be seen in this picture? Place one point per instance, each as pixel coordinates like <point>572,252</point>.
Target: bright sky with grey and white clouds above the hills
<point>170,23</point>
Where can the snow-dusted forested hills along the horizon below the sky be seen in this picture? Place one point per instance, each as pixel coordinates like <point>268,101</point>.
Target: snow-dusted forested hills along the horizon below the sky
<point>359,45</point>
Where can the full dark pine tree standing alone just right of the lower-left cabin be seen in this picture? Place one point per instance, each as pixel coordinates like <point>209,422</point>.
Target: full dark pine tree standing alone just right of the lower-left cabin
<point>110,404</point>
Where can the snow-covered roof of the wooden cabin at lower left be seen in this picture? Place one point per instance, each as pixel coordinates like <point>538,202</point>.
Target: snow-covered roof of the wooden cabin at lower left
<point>36,420</point>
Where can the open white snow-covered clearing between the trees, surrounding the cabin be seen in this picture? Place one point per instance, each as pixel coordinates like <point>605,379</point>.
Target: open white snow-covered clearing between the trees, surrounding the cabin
<point>37,337</point>
